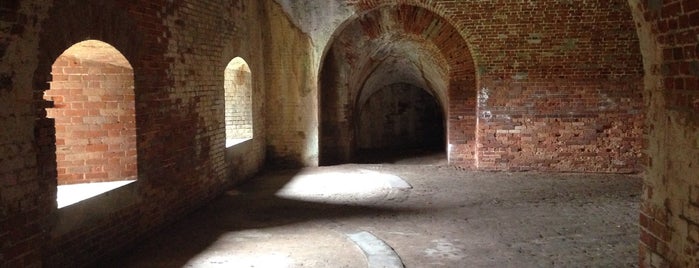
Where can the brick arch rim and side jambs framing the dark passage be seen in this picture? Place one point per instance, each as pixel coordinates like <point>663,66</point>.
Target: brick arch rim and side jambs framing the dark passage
<point>402,22</point>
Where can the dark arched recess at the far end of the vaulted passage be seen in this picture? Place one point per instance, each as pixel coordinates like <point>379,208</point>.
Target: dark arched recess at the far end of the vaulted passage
<point>401,120</point>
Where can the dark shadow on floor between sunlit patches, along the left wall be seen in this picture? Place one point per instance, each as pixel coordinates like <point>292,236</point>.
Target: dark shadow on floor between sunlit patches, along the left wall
<point>251,206</point>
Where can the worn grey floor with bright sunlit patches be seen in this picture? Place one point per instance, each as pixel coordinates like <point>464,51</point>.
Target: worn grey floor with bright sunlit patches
<point>449,218</point>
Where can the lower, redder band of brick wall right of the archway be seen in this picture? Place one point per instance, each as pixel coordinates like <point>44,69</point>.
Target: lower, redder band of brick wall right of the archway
<point>561,125</point>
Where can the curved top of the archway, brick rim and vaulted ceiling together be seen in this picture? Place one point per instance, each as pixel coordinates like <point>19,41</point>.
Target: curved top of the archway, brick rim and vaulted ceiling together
<point>401,44</point>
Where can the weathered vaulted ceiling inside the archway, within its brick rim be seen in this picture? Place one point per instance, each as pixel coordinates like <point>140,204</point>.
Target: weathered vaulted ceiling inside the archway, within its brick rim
<point>381,50</point>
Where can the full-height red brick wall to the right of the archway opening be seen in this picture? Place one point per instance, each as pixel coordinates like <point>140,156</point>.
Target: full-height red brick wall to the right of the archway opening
<point>559,85</point>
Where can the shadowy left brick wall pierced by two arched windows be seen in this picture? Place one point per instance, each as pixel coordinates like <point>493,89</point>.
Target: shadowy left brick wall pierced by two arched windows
<point>178,86</point>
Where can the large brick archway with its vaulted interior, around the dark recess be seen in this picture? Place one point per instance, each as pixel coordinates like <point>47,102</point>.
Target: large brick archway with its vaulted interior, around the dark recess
<point>386,46</point>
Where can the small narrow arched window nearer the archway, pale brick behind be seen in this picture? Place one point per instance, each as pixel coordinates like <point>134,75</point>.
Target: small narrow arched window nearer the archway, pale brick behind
<point>238,102</point>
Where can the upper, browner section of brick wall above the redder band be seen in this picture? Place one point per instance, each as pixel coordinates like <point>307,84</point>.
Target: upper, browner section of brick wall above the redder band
<point>555,39</point>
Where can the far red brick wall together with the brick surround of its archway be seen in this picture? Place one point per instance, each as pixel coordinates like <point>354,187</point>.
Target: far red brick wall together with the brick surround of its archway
<point>496,46</point>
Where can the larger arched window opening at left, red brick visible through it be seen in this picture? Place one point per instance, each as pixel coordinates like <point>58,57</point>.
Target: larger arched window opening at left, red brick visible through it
<point>92,91</point>
